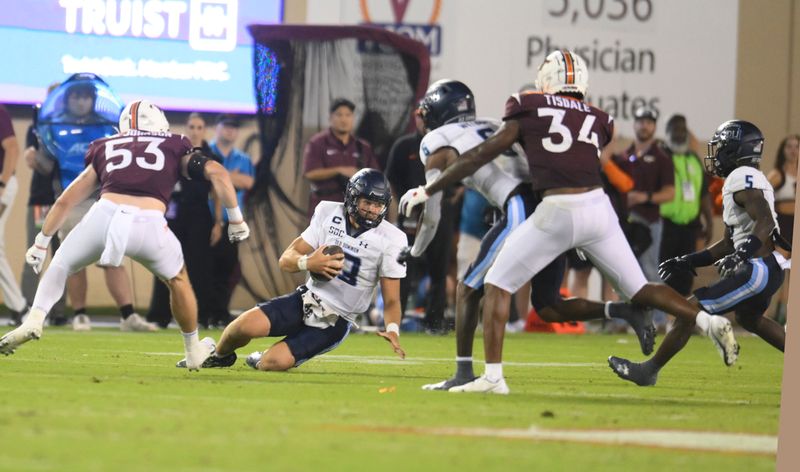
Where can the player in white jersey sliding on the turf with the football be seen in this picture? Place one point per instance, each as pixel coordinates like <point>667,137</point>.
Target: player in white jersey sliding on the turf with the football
<point>317,316</point>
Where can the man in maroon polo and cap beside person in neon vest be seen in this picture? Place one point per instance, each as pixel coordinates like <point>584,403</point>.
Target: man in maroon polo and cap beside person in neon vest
<point>653,184</point>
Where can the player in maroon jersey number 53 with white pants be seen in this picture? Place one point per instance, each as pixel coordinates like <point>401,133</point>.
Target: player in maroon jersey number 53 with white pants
<point>136,170</point>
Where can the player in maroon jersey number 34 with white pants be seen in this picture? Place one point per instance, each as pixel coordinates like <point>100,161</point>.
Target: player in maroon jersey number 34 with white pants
<point>562,137</point>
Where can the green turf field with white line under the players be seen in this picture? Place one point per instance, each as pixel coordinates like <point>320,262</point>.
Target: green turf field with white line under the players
<point>108,401</point>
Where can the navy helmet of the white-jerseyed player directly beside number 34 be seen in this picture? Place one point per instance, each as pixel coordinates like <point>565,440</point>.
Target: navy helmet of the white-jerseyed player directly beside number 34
<point>447,101</point>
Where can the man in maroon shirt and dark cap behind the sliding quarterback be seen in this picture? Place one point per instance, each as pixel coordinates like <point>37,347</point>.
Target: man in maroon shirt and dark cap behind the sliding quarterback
<point>332,156</point>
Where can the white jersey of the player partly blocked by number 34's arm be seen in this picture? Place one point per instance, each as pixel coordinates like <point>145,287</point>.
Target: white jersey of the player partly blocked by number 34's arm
<point>495,180</point>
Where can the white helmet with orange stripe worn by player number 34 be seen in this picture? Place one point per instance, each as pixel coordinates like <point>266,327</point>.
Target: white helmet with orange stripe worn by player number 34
<point>563,72</point>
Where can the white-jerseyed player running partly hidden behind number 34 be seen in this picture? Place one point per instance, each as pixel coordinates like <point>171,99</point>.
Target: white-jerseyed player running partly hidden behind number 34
<point>448,112</point>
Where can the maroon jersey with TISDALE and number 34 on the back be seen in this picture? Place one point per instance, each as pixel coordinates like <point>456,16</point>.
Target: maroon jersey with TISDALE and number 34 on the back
<point>562,138</point>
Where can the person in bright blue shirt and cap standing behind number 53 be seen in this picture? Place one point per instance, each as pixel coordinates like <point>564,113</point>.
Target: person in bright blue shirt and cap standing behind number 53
<point>224,254</point>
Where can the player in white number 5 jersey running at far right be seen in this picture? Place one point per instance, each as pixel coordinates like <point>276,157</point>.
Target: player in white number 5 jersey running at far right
<point>750,267</point>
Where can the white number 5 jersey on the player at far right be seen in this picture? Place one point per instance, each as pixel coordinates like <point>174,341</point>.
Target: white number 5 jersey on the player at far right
<point>735,216</point>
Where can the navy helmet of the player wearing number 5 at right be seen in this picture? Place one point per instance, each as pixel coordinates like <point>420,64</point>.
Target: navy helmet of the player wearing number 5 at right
<point>735,143</point>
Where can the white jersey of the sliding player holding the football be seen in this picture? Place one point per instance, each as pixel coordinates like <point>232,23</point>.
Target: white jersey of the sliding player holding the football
<point>368,257</point>
